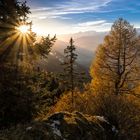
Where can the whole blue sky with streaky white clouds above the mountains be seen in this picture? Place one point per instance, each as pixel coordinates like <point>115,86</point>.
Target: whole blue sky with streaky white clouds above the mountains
<point>70,16</point>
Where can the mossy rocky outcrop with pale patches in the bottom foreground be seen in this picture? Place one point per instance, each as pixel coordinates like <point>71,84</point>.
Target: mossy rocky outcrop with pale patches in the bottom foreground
<point>67,126</point>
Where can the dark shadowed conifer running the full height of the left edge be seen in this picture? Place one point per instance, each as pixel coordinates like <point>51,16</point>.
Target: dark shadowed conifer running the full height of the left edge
<point>15,95</point>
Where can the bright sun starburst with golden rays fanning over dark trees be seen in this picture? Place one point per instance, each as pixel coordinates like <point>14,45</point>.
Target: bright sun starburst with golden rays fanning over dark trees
<point>15,46</point>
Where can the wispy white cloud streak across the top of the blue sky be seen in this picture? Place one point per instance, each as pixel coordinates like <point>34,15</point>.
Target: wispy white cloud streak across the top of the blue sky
<point>70,7</point>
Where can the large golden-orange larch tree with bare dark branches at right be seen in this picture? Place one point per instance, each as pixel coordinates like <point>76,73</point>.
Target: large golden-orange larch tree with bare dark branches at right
<point>116,66</point>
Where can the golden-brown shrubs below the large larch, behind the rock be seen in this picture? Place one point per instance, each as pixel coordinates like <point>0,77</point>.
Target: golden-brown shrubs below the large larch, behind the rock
<point>121,111</point>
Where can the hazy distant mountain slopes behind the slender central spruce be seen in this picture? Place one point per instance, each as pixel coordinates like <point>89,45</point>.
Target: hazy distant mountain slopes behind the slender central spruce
<point>86,44</point>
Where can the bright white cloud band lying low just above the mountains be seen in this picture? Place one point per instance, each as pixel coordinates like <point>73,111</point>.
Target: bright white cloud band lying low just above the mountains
<point>98,26</point>
